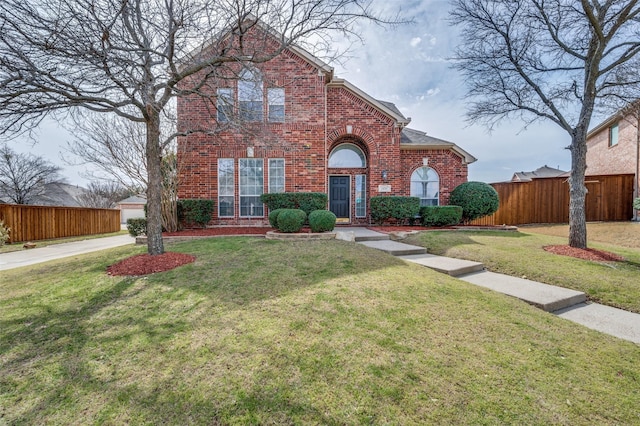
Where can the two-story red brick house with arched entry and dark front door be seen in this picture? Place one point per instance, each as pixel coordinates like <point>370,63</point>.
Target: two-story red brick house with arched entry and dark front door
<point>290,125</point>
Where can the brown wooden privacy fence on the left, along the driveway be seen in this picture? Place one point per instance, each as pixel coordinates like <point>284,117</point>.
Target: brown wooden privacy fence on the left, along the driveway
<point>32,223</point>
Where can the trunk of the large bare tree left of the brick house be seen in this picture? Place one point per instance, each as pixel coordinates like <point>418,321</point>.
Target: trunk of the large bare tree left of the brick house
<point>155,245</point>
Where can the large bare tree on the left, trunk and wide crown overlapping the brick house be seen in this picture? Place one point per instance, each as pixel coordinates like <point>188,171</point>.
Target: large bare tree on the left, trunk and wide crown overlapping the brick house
<point>132,57</point>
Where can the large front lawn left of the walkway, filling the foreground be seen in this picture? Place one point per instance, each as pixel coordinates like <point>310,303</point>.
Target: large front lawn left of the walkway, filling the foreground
<point>314,332</point>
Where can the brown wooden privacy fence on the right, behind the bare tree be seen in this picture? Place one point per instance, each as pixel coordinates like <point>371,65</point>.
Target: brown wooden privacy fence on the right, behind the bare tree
<point>546,200</point>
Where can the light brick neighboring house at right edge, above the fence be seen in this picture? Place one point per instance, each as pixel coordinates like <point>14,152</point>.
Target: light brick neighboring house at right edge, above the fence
<point>613,148</point>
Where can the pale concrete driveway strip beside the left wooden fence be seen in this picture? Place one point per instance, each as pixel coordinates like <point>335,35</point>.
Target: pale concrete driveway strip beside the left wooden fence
<point>25,257</point>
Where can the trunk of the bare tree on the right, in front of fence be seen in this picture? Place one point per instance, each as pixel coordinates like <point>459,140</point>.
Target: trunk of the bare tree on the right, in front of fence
<point>578,191</point>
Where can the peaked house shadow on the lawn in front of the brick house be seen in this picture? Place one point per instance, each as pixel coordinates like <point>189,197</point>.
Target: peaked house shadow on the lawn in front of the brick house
<point>239,270</point>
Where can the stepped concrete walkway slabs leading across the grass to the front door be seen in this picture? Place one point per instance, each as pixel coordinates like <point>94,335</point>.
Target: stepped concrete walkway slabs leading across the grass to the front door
<point>563,302</point>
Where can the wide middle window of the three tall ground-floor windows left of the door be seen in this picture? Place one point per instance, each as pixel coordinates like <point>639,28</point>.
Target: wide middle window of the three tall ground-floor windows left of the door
<point>251,176</point>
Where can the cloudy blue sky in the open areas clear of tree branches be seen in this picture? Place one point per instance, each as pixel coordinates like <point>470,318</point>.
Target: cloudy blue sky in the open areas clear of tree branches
<point>407,65</point>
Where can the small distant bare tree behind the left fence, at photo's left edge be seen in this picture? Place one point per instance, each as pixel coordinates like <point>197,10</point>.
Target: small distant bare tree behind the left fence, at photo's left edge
<point>23,177</point>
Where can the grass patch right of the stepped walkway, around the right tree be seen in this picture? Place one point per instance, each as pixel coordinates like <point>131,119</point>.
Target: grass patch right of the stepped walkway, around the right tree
<point>521,254</point>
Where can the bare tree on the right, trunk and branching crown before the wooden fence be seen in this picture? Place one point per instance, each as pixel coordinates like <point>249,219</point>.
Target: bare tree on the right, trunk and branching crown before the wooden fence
<point>549,60</point>
